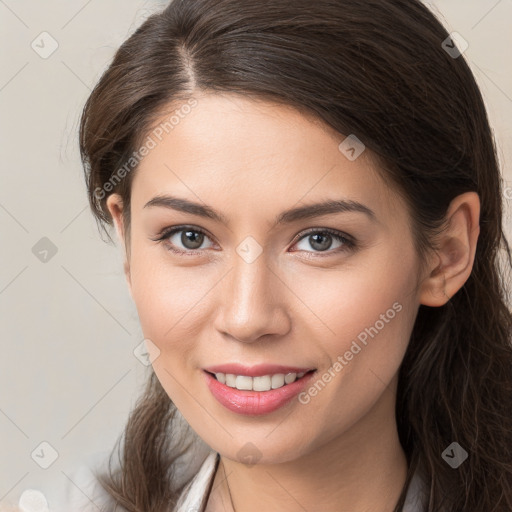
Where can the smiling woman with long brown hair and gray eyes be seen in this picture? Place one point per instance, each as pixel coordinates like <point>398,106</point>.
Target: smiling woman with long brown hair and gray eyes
<point>310,206</point>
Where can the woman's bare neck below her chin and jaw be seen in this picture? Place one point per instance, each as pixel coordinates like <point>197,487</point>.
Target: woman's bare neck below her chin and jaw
<point>363,469</point>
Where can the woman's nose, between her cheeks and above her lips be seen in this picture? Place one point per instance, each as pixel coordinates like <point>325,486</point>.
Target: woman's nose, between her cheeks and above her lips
<point>253,302</point>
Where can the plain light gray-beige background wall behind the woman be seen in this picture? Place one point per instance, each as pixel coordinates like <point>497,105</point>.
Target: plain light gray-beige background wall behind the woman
<point>68,375</point>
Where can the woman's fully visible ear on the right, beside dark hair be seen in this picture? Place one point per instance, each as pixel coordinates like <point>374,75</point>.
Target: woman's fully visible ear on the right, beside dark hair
<point>453,260</point>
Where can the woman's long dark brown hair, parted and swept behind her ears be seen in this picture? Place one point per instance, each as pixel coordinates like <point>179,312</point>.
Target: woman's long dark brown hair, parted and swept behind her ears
<point>377,69</point>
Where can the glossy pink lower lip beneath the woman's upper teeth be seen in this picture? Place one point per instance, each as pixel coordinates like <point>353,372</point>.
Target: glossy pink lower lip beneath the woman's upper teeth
<point>253,403</point>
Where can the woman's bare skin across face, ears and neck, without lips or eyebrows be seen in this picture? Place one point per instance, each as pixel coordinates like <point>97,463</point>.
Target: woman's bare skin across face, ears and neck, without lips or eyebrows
<point>340,451</point>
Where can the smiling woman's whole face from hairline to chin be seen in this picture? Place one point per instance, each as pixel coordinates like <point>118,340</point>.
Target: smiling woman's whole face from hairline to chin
<point>254,291</point>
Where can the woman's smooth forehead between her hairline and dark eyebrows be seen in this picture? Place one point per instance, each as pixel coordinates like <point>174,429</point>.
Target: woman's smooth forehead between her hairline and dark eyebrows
<point>245,154</point>
